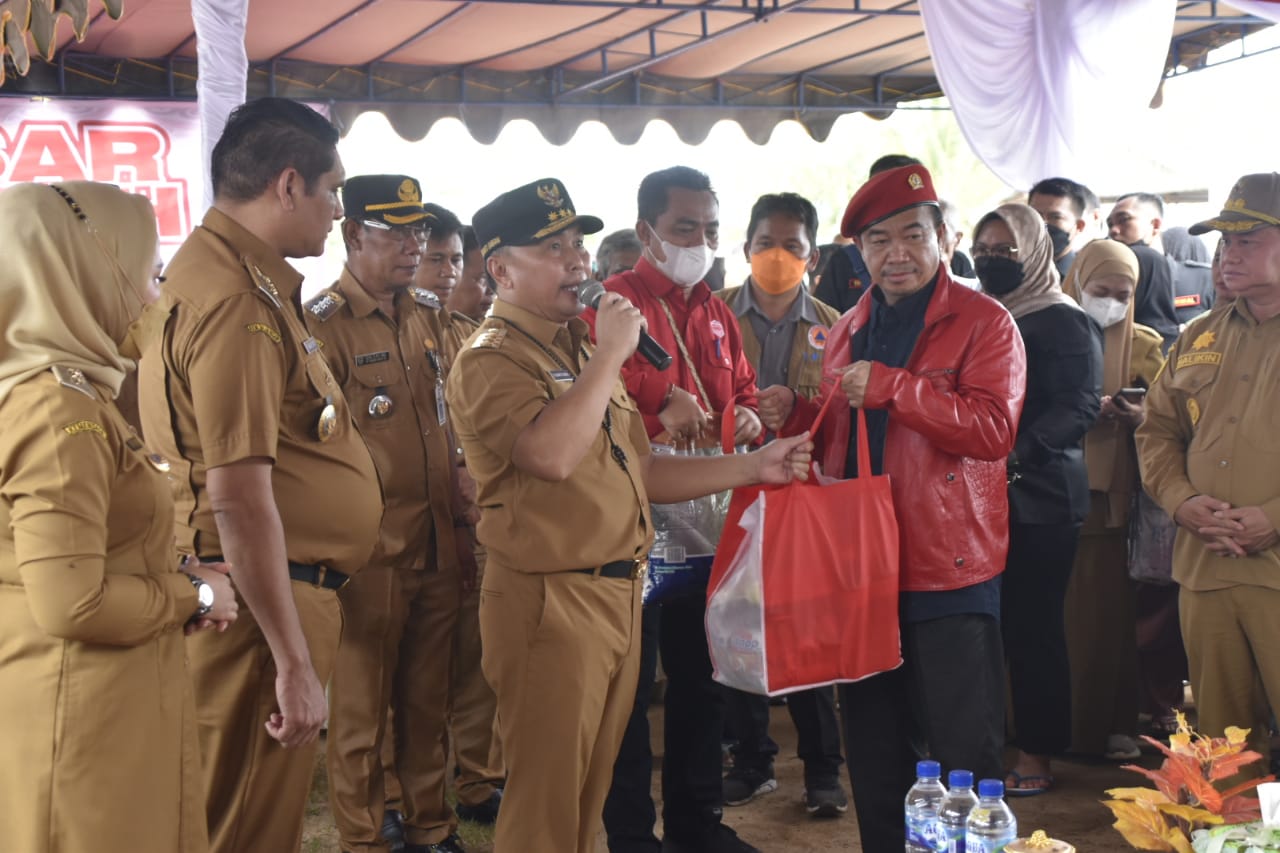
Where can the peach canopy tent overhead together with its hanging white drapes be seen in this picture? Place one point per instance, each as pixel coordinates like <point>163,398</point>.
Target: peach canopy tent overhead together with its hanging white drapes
<point>1025,77</point>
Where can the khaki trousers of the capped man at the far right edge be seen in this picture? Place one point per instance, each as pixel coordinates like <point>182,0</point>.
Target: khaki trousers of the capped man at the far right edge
<point>1233,650</point>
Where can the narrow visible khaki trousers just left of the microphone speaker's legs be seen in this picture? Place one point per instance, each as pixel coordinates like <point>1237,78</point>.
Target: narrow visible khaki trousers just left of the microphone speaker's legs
<point>474,708</point>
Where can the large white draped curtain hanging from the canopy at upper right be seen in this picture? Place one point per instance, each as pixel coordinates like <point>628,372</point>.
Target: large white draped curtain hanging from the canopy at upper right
<point>1039,86</point>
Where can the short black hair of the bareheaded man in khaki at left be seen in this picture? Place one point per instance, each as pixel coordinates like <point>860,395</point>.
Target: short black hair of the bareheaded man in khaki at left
<point>263,139</point>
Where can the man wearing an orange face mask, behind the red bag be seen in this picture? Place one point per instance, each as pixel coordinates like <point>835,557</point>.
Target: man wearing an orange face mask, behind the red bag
<point>784,335</point>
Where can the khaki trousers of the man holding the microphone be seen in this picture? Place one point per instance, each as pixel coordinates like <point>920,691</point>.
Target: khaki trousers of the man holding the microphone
<point>563,653</point>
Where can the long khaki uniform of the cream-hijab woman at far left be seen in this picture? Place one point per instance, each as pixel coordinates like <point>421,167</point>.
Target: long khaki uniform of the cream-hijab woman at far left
<point>94,685</point>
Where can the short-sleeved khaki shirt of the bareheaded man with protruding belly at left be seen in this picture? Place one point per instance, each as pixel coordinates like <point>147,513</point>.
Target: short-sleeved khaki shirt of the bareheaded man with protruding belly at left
<point>235,377</point>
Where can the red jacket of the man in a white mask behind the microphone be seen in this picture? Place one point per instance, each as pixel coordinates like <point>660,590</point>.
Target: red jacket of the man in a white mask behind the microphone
<point>712,337</point>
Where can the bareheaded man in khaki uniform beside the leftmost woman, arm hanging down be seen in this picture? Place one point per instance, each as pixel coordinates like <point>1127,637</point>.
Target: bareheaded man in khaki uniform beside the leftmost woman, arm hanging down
<point>271,472</point>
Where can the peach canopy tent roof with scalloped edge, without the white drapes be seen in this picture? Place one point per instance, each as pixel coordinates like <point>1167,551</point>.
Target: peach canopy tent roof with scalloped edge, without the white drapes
<point>556,63</point>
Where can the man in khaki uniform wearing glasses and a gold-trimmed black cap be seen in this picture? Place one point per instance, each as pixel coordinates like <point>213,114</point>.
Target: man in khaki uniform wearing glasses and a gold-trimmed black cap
<point>383,340</point>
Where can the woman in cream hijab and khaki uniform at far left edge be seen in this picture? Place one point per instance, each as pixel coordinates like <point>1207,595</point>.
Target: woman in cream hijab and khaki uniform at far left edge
<point>99,751</point>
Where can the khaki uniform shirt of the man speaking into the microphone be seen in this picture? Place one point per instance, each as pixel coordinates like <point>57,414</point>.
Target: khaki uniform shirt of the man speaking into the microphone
<point>497,387</point>
